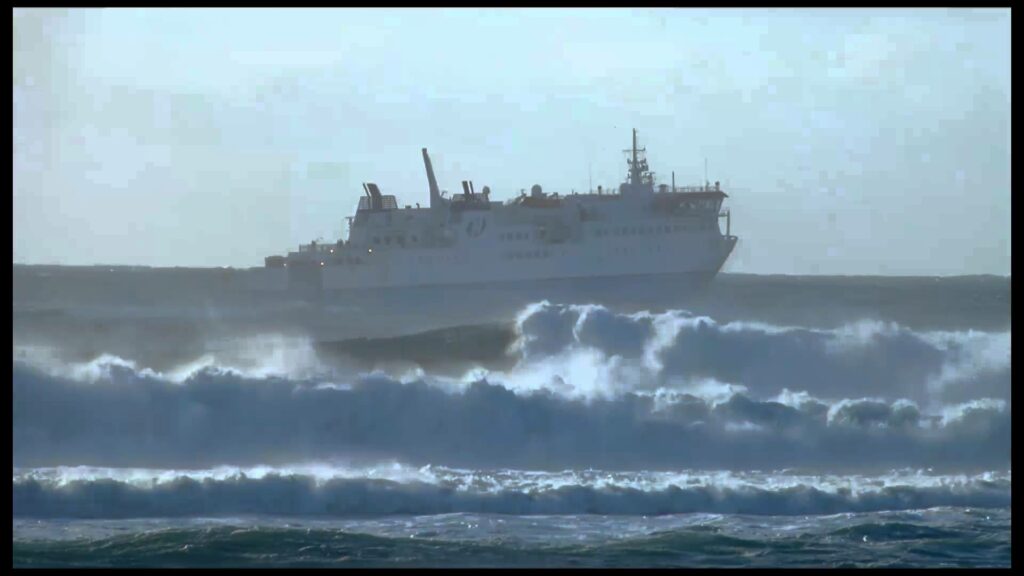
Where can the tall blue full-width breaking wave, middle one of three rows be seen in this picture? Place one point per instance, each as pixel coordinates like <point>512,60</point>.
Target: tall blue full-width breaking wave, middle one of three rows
<point>214,418</point>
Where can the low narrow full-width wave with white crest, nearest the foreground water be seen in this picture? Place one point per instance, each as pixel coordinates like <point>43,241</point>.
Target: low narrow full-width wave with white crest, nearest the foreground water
<point>397,490</point>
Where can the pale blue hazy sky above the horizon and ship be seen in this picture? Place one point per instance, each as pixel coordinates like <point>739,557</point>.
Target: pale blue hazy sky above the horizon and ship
<point>851,142</point>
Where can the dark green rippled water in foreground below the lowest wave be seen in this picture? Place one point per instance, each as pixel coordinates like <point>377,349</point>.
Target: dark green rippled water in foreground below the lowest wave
<point>943,538</point>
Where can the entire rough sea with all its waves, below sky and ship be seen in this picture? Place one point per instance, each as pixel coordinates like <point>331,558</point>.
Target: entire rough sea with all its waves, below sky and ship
<point>161,420</point>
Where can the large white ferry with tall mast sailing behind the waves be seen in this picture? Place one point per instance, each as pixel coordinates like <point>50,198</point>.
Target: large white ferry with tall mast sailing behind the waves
<point>468,249</point>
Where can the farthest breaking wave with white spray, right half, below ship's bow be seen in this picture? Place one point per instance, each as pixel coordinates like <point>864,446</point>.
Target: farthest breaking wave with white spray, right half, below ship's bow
<point>594,351</point>
